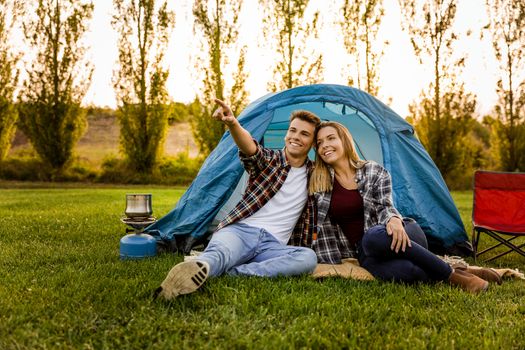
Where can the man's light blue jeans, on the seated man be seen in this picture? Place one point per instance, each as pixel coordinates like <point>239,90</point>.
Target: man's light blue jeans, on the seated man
<point>240,249</point>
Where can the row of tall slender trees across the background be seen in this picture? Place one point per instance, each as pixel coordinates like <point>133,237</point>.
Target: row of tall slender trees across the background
<point>47,107</point>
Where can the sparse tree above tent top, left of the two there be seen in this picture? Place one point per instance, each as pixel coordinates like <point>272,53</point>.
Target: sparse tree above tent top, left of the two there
<point>288,32</point>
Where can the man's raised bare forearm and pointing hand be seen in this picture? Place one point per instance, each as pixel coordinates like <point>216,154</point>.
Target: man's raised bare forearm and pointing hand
<point>241,136</point>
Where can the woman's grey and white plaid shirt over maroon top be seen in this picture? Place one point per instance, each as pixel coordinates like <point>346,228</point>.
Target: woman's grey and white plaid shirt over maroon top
<point>375,186</point>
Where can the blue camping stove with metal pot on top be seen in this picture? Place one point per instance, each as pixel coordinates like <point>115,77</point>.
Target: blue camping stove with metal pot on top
<point>137,245</point>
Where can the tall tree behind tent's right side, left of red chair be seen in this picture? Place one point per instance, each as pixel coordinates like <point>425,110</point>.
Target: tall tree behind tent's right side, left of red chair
<point>441,116</point>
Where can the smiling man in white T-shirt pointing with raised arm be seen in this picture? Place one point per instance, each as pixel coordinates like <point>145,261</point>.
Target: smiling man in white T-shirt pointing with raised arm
<point>274,210</point>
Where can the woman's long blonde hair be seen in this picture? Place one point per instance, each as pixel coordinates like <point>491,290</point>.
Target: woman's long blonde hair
<point>321,180</point>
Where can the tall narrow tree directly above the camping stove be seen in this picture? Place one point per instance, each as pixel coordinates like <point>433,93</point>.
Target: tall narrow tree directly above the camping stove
<point>140,79</point>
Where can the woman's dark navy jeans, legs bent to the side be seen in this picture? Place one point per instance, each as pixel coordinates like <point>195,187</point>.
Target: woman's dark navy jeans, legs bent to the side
<point>415,264</point>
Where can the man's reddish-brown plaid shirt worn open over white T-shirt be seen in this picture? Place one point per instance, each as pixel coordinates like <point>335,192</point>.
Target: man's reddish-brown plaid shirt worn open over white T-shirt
<point>268,170</point>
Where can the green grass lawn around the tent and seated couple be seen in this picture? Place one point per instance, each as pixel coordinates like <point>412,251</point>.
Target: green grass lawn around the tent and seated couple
<point>64,286</point>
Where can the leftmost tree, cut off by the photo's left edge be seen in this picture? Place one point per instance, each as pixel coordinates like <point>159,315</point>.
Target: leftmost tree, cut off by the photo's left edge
<point>10,11</point>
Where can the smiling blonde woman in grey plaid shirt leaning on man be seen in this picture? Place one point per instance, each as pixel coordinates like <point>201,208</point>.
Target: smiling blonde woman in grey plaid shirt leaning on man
<point>357,218</point>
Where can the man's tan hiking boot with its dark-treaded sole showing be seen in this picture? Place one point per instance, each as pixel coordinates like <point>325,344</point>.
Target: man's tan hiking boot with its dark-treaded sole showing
<point>184,278</point>
